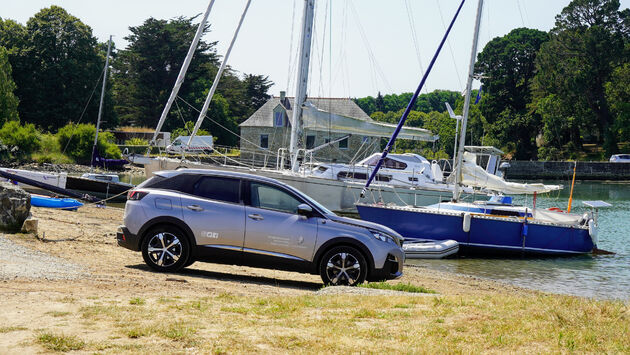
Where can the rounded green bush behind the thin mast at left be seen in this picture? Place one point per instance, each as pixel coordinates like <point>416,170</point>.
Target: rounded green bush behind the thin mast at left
<point>77,141</point>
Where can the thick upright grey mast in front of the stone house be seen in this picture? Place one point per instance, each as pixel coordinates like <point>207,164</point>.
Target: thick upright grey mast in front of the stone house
<point>302,80</point>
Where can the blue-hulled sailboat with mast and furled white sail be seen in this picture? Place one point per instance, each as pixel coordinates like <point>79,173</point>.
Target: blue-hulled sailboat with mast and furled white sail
<point>496,226</point>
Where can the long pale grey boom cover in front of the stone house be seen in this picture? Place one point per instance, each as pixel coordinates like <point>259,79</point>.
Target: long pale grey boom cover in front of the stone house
<point>318,120</point>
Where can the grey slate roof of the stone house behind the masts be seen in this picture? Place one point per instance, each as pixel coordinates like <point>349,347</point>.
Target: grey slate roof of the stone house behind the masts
<point>263,117</point>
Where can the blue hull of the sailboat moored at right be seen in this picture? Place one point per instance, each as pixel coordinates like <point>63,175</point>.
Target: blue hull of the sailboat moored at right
<point>488,235</point>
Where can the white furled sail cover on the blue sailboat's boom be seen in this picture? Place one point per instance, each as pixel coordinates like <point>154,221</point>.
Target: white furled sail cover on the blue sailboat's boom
<point>475,176</point>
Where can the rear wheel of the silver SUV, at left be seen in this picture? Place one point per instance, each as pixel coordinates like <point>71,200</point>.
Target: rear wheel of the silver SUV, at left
<point>166,249</point>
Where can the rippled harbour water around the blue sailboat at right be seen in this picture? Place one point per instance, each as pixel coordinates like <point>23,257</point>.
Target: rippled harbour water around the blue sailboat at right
<point>596,276</point>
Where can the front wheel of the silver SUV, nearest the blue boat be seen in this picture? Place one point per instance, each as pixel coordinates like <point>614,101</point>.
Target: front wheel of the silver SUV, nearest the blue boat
<point>343,266</point>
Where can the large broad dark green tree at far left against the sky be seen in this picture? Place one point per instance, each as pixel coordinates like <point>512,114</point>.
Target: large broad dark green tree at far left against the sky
<point>56,62</point>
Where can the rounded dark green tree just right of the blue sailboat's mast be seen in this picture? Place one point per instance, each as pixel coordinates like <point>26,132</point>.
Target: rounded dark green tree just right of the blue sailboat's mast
<point>507,68</point>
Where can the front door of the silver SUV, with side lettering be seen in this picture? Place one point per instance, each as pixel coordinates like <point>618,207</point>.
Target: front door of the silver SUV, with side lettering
<point>273,227</point>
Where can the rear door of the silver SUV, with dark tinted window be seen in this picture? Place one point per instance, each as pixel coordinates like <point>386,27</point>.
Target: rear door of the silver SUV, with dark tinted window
<point>215,213</point>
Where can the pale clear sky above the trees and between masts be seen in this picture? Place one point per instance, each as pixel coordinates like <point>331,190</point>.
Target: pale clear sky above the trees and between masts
<point>371,48</point>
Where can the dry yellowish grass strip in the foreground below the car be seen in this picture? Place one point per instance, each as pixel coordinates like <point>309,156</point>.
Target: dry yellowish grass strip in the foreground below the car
<point>354,323</point>
